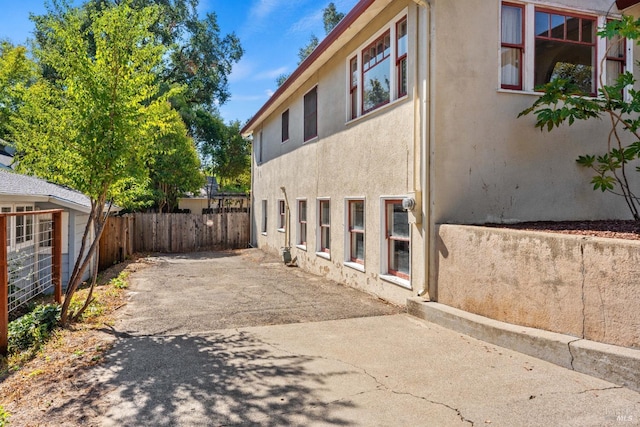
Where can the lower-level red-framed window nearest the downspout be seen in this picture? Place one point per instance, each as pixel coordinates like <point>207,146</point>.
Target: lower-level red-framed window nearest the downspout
<point>398,241</point>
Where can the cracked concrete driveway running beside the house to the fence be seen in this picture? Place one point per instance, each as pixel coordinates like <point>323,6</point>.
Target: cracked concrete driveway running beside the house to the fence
<point>235,339</point>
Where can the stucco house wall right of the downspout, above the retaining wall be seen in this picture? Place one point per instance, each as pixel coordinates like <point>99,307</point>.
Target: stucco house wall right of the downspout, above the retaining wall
<point>488,165</point>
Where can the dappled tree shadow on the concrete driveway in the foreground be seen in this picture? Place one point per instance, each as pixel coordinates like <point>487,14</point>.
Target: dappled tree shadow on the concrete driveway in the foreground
<point>223,379</point>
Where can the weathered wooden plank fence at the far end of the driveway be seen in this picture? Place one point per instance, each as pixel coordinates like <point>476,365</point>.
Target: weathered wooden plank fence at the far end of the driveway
<point>171,233</point>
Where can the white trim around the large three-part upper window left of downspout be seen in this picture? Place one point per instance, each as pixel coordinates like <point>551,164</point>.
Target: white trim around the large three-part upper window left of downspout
<point>391,27</point>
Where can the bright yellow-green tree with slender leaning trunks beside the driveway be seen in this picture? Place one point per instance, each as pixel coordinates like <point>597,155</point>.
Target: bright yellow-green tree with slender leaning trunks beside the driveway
<point>94,126</point>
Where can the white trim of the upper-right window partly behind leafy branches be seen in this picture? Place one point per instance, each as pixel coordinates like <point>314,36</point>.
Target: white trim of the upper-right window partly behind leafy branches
<point>528,55</point>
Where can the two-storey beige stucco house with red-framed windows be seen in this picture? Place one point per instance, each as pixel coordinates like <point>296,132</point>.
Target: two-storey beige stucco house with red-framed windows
<point>405,117</point>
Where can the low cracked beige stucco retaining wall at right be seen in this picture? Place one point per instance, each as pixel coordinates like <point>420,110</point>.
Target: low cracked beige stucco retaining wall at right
<point>581,286</point>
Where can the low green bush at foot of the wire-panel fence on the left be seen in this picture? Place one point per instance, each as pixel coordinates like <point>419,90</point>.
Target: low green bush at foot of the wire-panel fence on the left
<point>33,329</point>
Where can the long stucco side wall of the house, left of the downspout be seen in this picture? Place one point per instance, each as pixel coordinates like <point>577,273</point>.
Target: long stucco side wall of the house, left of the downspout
<point>369,158</point>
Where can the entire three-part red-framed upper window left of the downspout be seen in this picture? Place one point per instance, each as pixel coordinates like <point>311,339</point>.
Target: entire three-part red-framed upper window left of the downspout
<point>378,70</point>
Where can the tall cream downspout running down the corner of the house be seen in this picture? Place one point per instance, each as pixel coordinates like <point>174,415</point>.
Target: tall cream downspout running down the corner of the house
<point>426,145</point>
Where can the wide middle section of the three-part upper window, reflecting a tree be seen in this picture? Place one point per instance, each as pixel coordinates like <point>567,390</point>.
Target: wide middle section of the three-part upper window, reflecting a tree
<point>376,81</point>
